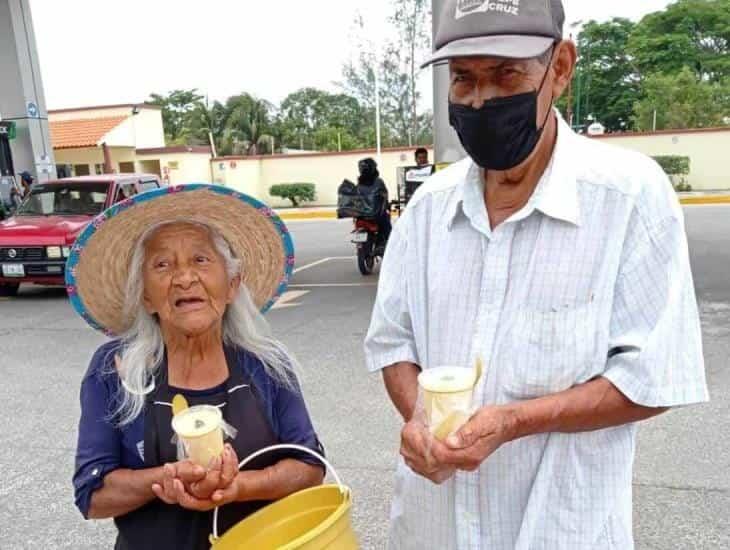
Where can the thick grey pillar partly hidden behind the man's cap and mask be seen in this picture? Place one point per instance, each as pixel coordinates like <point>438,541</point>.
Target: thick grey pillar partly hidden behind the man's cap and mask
<point>447,147</point>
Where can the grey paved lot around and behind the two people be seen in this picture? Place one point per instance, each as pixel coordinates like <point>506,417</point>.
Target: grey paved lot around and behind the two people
<point>682,487</point>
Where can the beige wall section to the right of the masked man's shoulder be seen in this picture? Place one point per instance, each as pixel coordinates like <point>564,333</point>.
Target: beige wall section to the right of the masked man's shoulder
<point>707,150</point>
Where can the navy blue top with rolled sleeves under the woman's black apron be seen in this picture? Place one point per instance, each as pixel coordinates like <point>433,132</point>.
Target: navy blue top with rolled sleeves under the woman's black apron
<point>103,446</point>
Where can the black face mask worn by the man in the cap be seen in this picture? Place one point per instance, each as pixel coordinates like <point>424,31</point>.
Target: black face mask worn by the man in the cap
<point>503,132</point>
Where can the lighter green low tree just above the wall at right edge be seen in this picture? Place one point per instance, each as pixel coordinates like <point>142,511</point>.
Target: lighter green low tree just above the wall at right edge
<point>682,101</point>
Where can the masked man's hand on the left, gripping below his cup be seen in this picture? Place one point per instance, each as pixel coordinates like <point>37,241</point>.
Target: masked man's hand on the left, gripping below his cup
<point>418,448</point>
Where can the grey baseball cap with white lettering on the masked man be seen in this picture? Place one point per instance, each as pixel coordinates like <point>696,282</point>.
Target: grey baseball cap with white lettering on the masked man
<point>515,29</point>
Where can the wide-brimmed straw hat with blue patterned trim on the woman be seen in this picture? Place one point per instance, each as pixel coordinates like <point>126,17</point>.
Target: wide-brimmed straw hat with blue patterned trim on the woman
<point>98,266</point>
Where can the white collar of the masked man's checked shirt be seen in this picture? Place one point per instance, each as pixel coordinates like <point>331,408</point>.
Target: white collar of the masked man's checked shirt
<point>556,194</point>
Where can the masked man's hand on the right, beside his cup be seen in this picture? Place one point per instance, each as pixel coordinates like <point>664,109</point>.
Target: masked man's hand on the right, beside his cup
<point>484,433</point>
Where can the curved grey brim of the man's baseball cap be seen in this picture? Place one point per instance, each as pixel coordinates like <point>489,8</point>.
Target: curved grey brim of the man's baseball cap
<point>507,46</point>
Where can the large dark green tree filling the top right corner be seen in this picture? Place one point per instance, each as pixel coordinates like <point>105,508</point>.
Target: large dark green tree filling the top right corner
<point>689,33</point>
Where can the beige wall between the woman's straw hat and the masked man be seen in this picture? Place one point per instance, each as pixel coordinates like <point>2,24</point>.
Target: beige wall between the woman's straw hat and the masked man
<point>255,176</point>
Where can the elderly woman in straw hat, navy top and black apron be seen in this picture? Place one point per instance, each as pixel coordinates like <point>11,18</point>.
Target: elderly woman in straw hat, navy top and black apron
<point>180,276</point>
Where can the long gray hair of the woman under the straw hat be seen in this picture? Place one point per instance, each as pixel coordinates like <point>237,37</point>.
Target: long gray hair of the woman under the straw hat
<point>143,348</point>
